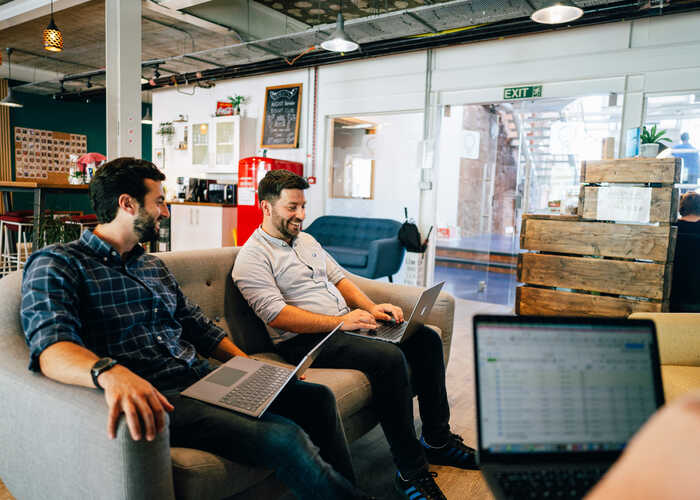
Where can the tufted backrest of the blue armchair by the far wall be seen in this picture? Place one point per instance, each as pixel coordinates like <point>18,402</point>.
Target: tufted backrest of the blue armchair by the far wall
<point>355,232</point>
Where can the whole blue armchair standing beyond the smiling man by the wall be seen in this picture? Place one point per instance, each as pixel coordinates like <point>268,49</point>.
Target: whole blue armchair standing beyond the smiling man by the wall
<point>366,247</point>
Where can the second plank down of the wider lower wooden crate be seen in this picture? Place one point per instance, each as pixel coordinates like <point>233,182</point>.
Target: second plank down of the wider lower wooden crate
<point>638,279</point>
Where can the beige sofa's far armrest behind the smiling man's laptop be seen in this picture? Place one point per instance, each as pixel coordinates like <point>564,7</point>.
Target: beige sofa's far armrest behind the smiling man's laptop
<point>405,296</point>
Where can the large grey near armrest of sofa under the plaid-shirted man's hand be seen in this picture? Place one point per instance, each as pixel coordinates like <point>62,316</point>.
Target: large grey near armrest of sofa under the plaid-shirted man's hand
<point>55,443</point>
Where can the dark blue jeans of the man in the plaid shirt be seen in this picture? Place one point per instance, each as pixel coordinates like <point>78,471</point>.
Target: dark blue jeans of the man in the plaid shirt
<point>275,441</point>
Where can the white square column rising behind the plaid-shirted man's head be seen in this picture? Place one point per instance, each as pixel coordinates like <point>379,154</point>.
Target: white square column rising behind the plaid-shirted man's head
<point>123,66</point>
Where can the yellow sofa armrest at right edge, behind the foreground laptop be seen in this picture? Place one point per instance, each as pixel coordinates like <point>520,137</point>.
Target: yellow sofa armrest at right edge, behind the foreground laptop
<point>679,336</point>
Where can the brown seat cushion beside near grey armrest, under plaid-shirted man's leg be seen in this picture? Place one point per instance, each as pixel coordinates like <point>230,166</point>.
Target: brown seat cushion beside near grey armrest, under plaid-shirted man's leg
<point>202,475</point>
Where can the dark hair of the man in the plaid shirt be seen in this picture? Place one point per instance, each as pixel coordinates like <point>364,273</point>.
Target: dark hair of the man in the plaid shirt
<point>117,177</point>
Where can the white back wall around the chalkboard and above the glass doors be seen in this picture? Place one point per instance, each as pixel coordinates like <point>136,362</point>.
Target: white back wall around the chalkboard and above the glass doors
<point>631,58</point>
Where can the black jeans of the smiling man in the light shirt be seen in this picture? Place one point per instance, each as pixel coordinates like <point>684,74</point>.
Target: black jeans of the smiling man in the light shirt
<point>386,365</point>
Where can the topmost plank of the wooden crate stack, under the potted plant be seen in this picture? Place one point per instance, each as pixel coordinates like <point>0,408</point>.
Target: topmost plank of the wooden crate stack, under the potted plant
<point>637,170</point>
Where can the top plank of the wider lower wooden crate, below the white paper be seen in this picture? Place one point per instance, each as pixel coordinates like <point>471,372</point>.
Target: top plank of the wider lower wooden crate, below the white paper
<point>629,241</point>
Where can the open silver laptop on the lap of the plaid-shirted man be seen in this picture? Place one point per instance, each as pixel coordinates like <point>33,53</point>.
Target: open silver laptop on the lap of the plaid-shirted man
<point>247,385</point>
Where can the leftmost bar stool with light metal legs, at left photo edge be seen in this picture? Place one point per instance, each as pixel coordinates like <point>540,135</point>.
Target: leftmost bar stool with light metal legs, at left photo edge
<point>16,229</point>
